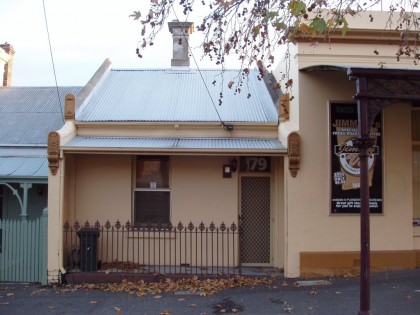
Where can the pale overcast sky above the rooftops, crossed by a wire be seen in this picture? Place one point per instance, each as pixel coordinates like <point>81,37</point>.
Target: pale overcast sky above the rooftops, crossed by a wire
<point>83,34</point>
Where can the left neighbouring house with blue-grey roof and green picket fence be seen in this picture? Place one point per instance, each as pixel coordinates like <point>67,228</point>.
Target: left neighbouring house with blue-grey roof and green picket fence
<point>27,115</point>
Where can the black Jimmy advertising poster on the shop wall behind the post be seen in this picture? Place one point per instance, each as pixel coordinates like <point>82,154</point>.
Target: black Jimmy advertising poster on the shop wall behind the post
<point>345,166</point>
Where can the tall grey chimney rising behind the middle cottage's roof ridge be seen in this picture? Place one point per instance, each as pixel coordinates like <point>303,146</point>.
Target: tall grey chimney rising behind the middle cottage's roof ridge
<point>180,34</point>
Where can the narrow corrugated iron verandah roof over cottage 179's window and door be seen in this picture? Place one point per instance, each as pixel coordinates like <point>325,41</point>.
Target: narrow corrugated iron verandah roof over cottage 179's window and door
<point>176,145</point>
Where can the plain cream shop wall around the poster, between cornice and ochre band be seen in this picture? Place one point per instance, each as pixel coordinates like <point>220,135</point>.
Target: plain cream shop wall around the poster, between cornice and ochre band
<point>308,196</point>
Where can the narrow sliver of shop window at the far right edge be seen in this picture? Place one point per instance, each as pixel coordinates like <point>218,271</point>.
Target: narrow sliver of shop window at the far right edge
<point>415,136</point>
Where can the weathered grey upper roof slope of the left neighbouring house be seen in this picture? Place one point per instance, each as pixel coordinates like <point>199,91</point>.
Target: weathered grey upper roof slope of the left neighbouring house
<point>28,114</point>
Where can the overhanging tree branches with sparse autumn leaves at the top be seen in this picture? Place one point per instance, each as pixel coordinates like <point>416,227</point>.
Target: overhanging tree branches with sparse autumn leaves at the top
<point>255,29</point>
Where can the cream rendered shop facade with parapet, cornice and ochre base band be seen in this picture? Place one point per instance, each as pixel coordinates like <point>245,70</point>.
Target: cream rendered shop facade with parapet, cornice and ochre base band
<point>317,241</point>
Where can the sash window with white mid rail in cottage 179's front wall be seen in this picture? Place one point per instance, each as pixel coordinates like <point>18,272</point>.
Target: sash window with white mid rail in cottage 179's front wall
<point>152,194</point>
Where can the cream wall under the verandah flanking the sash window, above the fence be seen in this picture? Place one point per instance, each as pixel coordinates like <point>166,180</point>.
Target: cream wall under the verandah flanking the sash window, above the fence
<point>103,189</point>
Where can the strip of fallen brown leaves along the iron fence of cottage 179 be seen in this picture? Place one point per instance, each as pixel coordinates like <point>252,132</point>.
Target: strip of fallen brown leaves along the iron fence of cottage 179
<point>194,285</point>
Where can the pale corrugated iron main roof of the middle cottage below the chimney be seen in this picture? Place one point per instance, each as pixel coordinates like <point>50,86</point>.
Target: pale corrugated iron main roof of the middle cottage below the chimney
<point>171,95</point>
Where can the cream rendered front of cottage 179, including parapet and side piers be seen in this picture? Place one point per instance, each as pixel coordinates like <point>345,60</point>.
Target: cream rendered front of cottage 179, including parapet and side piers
<point>96,183</point>
